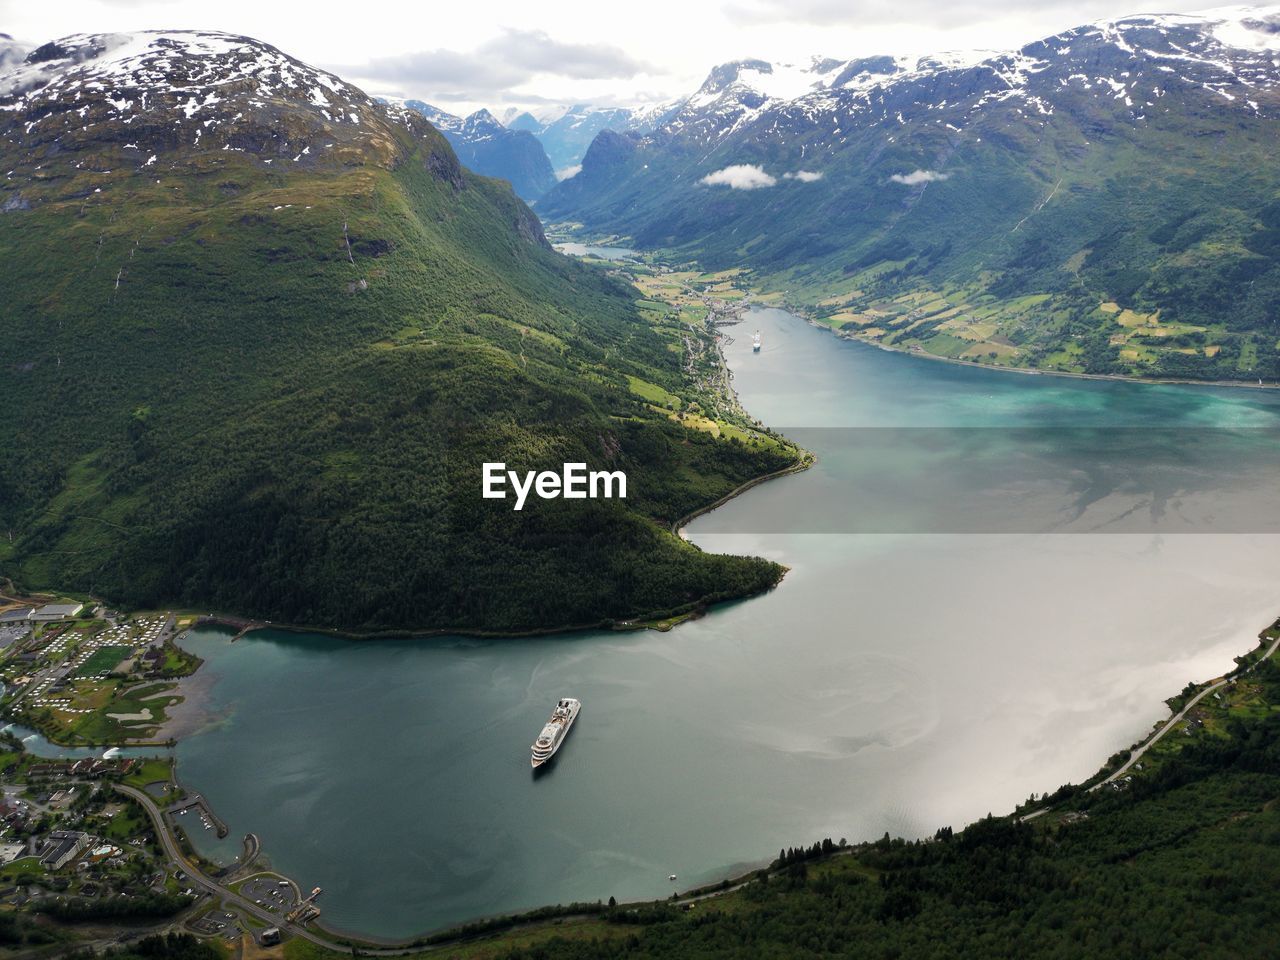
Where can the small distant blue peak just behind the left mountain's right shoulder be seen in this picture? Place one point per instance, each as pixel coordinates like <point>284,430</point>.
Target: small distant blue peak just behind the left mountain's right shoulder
<point>486,147</point>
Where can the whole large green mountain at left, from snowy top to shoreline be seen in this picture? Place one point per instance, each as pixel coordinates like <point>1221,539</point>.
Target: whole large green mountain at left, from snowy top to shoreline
<point>262,332</point>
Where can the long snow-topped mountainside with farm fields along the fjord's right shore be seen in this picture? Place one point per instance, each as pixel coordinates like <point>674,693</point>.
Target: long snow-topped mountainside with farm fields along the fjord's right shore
<point>1104,200</point>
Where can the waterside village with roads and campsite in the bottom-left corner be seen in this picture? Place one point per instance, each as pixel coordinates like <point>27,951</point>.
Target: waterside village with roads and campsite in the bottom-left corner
<point>100,838</point>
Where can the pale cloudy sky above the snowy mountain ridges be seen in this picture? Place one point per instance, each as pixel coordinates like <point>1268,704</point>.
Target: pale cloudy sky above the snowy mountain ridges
<point>504,53</point>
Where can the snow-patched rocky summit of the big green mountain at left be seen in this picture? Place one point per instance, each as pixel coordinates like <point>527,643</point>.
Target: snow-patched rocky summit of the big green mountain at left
<point>158,93</point>
